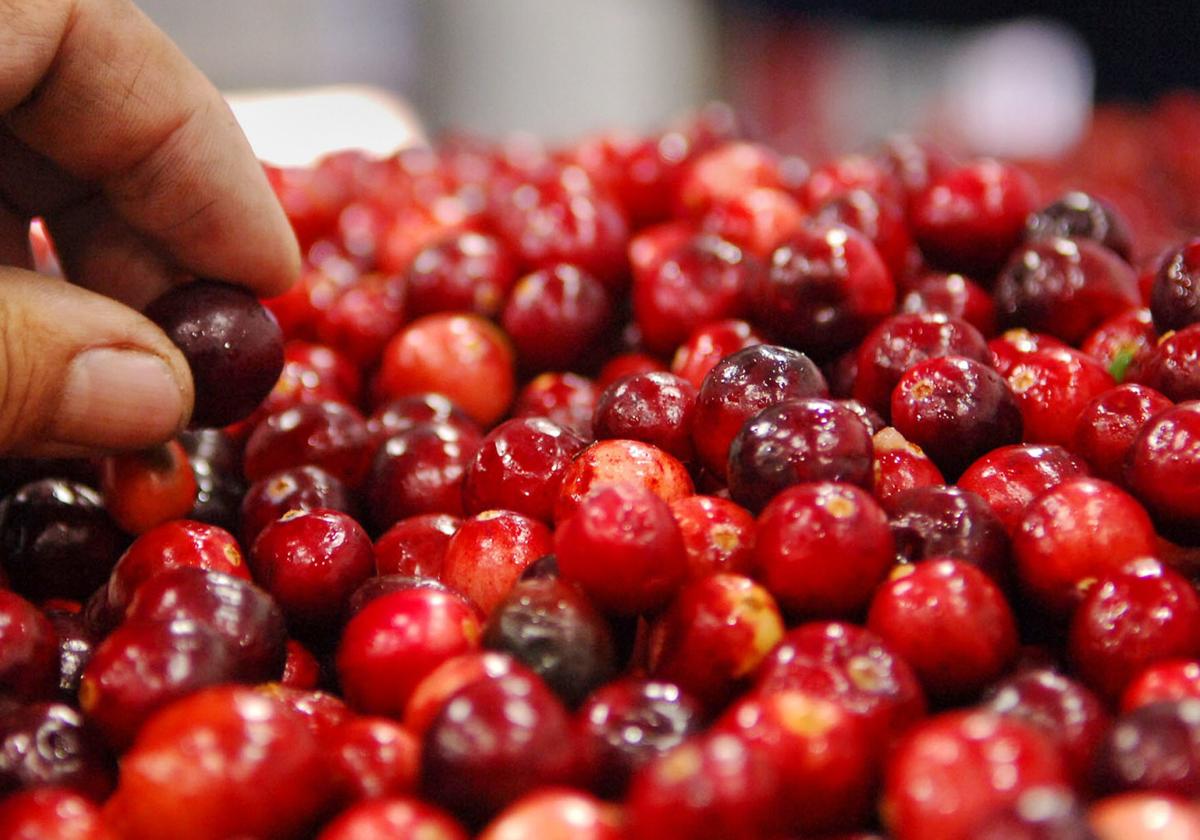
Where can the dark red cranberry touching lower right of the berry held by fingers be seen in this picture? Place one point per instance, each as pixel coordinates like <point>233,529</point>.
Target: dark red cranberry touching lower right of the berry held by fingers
<point>328,435</point>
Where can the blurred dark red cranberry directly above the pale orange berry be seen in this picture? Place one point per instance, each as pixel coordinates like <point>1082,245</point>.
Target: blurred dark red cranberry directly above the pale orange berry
<point>465,273</point>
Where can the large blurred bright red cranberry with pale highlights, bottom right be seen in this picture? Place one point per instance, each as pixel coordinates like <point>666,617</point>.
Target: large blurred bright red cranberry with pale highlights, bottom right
<point>953,771</point>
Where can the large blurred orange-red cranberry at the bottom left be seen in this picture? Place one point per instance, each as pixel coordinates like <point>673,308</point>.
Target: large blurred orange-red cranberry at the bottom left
<point>251,765</point>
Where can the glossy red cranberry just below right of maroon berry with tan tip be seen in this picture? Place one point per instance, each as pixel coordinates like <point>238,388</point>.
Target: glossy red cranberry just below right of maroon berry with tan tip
<point>1012,477</point>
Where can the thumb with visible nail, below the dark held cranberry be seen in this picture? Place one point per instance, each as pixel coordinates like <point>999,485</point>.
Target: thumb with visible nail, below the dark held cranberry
<point>81,373</point>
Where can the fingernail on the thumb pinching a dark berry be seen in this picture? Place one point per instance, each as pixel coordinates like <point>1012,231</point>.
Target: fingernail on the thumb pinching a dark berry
<point>118,399</point>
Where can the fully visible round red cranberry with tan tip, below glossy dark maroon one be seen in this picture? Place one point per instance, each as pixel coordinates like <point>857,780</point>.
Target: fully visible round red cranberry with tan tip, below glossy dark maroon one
<point>823,549</point>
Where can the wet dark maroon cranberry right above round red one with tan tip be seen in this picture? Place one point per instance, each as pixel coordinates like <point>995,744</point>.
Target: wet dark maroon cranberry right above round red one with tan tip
<point>799,442</point>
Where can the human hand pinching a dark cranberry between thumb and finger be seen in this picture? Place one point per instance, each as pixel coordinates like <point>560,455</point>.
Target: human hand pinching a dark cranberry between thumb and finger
<point>143,179</point>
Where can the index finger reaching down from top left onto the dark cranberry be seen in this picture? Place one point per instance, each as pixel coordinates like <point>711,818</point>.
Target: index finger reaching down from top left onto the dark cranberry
<point>95,87</point>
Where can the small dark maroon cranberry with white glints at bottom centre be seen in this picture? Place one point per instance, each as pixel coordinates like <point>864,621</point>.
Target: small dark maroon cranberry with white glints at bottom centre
<point>628,724</point>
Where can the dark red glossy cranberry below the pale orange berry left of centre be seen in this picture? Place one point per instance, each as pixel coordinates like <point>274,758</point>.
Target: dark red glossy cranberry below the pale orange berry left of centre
<point>421,471</point>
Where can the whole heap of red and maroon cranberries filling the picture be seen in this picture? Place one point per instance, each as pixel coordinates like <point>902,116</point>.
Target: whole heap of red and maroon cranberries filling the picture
<point>643,489</point>
